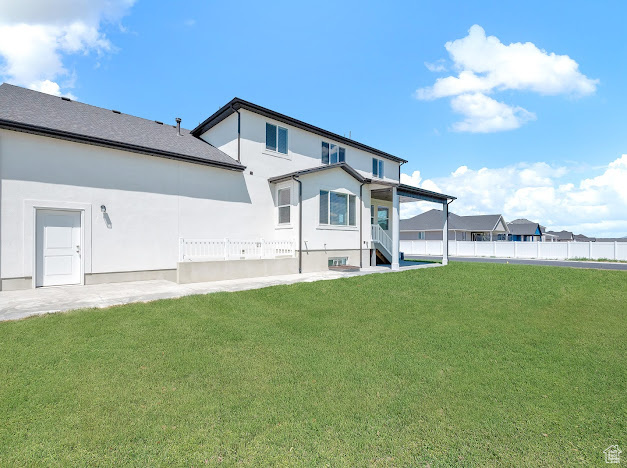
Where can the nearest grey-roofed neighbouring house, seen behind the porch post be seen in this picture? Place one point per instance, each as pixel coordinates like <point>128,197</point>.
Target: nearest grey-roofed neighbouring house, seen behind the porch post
<point>428,226</point>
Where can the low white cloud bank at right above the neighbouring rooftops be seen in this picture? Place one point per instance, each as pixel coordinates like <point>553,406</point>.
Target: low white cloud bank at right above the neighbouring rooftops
<point>595,205</point>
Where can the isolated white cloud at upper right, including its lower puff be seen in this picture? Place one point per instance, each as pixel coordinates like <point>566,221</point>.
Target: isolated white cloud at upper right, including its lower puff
<point>486,65</point>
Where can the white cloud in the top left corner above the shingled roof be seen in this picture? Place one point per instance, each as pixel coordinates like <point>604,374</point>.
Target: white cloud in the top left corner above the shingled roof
<point>35,35</point>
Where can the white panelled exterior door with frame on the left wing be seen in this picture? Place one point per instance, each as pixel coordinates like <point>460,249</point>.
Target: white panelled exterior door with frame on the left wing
<point>58,247</point>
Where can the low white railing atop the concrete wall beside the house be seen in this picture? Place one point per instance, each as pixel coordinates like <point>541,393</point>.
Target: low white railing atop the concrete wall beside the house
<point>203,250</point>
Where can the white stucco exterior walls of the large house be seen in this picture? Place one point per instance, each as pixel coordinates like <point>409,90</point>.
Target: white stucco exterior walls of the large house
<point>151,202</point>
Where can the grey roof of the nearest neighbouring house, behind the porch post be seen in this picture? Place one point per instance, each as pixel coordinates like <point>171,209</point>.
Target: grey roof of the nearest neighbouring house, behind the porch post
<point>432,220</point>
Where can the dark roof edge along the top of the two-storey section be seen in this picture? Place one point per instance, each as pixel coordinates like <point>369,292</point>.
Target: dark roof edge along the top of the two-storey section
<point>237,103</point>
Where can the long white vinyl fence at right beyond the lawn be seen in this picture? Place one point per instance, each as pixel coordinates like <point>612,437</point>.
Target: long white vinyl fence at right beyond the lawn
<point>532,250</point>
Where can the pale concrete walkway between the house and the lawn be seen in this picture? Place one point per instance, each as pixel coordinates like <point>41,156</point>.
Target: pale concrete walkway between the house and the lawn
<point>20,304</point>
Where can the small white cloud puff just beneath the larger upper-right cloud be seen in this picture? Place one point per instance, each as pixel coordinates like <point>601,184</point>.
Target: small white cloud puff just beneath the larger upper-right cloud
<point>484,114</point>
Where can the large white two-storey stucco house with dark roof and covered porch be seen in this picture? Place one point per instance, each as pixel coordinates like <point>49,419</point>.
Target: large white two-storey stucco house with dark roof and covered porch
<point>91,195</point>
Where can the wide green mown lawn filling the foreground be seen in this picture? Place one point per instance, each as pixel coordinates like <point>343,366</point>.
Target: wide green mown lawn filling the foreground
<point>472,364</point>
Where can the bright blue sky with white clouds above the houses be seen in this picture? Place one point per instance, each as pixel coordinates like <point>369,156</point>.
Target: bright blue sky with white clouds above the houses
<point>356,66</point>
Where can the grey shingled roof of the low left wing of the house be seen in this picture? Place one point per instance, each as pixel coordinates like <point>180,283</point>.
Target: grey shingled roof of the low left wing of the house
<point>33,112</point>
